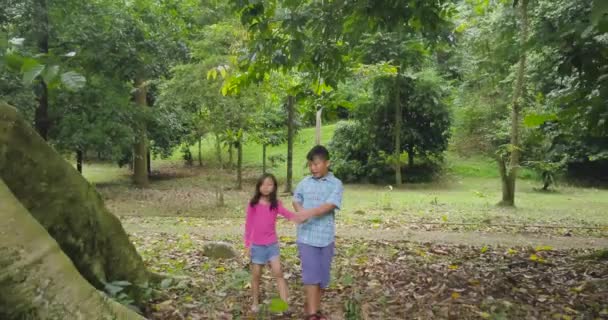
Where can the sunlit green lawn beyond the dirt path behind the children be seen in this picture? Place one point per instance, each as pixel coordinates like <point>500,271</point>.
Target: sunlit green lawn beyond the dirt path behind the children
<point>469,194</point>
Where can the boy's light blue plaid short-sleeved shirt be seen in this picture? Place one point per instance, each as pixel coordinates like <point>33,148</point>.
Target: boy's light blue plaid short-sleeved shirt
<point>311,193</point>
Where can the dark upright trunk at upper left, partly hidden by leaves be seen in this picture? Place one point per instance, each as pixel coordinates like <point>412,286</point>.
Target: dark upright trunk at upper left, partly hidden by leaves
<point>41,23</point>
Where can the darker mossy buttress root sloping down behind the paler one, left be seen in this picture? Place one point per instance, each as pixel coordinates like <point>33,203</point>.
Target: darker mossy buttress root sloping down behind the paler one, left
<point>66,205</point>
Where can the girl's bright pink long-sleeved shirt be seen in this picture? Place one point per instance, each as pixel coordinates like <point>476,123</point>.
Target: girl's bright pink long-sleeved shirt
<point>260,226</point>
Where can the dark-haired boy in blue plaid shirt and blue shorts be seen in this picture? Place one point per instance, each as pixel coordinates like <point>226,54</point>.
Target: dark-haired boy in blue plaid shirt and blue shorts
<point>316,198</point>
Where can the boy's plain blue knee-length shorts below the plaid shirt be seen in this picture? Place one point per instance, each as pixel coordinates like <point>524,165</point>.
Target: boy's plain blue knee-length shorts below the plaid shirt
<point>316,264</point>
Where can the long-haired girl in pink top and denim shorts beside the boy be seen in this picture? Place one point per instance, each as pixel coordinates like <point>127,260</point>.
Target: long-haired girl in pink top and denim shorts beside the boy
<point>260,235</point>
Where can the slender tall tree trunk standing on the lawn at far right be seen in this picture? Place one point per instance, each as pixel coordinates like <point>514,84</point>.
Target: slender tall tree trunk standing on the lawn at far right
<point>509,178</point>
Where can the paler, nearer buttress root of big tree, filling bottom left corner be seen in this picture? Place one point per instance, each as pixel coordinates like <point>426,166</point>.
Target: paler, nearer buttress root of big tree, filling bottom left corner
<point>38,280</point>
